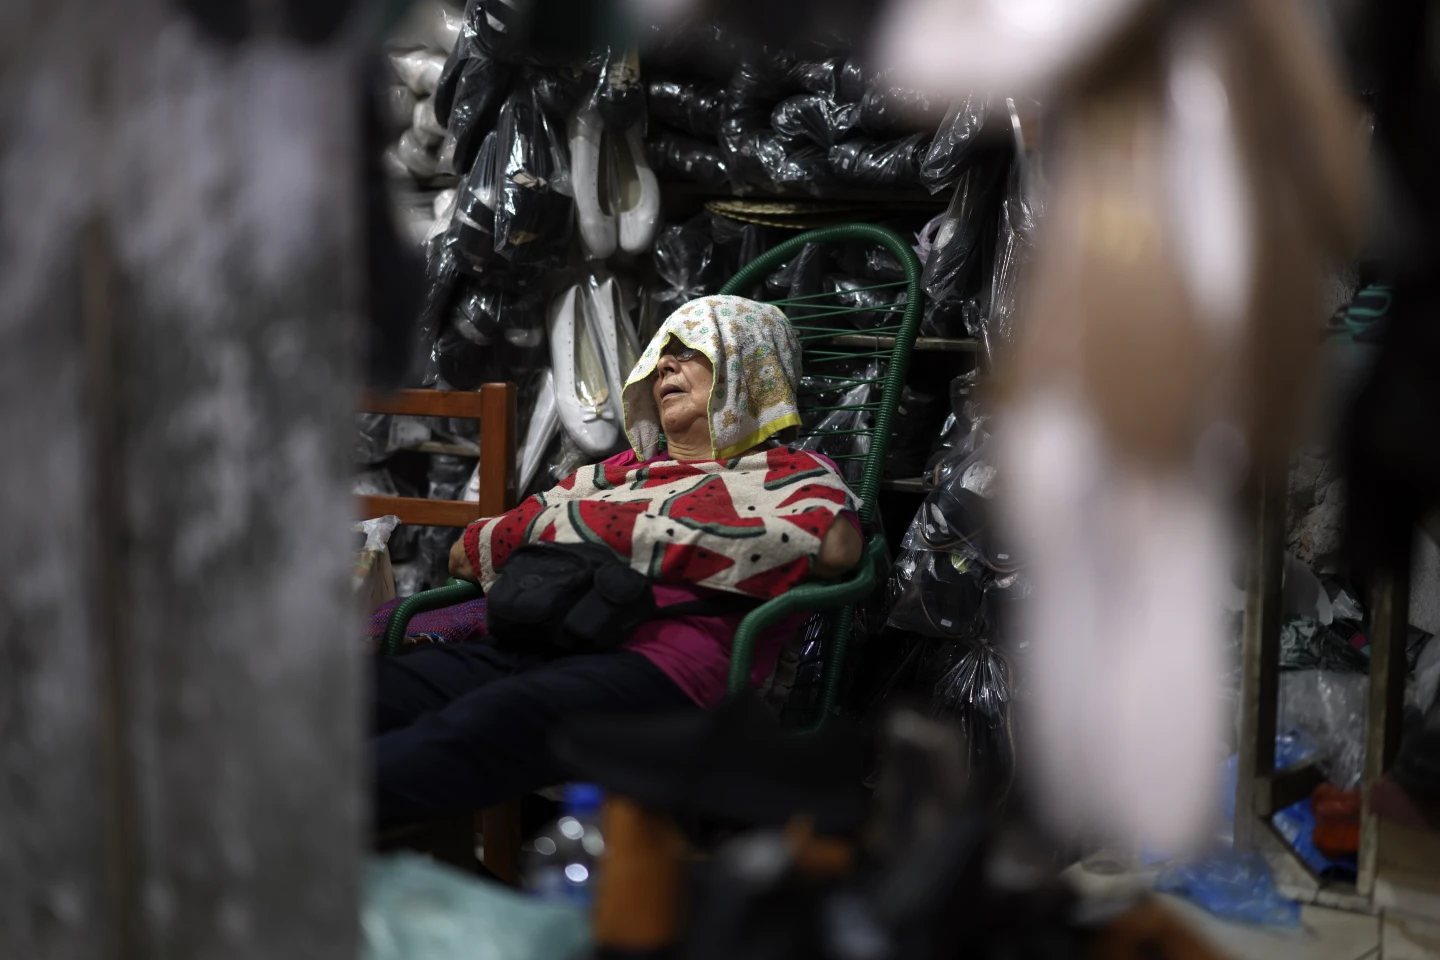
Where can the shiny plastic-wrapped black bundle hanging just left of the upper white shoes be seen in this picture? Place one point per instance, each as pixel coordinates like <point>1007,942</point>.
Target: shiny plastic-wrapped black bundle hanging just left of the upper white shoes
<point>534,205</point>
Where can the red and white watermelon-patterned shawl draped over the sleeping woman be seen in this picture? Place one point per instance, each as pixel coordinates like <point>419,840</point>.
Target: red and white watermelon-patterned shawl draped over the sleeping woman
<point>751,526</point>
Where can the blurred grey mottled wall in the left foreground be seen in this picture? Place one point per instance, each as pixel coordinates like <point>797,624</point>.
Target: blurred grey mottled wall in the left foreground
<point>179,681</point>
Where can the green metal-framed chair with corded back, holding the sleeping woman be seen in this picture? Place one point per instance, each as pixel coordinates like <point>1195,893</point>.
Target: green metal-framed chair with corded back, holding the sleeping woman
<point>826,349</point>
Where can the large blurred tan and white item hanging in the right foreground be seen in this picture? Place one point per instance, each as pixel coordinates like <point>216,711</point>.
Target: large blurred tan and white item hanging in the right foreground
<point>1203,165</point>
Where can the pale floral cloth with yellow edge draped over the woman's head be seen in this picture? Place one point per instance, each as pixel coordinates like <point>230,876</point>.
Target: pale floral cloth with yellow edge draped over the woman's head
<point>758,368</point>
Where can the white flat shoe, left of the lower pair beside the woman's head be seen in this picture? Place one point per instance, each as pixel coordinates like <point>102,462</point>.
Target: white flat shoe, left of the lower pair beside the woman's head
<point>581,389</point>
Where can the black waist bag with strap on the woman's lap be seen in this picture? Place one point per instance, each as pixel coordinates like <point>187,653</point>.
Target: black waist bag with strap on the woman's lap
<point>581,599</point>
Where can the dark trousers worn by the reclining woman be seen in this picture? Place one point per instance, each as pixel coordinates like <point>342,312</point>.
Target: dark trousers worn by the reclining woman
<point>462,728</point>
